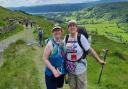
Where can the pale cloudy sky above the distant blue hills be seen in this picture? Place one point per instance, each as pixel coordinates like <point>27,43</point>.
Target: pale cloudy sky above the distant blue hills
<point>18,3</point>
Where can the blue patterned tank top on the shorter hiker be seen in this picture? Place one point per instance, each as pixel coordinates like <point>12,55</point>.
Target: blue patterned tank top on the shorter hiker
<point>56,58</point>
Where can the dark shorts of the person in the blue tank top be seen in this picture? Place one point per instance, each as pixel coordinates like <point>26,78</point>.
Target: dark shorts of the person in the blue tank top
<point>54,83</point>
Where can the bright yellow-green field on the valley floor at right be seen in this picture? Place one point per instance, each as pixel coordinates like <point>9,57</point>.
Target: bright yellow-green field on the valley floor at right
<point>109,30</point>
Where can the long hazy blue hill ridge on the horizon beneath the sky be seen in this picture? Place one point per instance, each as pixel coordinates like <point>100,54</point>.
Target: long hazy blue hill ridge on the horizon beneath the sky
<point>62,7</point>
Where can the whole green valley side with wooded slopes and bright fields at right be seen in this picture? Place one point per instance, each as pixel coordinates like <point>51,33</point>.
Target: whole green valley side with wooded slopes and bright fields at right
<point>106,19</point>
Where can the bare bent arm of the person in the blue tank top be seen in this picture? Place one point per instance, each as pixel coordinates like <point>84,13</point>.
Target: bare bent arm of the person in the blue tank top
<point>46,55</point>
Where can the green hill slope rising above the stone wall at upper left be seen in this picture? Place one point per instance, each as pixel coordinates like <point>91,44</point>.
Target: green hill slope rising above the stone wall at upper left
<point>5,13</point>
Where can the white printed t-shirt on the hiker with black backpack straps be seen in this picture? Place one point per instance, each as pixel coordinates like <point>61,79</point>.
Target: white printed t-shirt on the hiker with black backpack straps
<point>74,52</point>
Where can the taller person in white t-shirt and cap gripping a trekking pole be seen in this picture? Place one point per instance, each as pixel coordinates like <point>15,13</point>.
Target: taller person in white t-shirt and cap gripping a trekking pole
<point>76,66</point>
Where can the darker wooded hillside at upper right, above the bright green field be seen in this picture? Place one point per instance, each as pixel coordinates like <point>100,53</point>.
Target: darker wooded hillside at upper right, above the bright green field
<point>117,12</point>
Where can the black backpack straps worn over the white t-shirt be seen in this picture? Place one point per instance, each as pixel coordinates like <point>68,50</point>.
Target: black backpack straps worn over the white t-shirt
<point>85,53</point>
